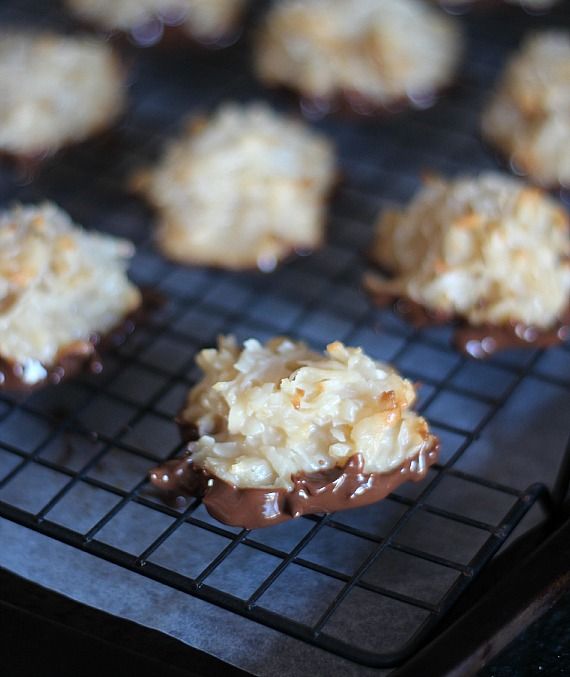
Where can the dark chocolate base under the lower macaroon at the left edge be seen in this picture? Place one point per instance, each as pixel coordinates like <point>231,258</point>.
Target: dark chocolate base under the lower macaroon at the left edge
<point>87,355</point>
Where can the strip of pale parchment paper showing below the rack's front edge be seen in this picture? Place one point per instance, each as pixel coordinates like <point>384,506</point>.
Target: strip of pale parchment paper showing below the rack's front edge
<point>97,583</point>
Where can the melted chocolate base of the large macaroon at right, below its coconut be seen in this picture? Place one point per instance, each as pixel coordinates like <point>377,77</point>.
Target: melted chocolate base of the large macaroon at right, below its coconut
<point>483,340</point>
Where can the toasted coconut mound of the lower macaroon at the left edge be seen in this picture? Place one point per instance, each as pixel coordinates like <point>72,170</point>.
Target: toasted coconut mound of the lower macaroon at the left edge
<point>60,288</point>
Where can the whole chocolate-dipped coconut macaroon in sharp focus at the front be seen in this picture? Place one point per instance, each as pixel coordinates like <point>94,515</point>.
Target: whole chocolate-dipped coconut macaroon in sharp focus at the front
<point>281,431</point>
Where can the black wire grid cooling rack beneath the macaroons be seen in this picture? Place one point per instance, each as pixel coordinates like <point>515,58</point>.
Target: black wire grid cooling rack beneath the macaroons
<point>368,584</point>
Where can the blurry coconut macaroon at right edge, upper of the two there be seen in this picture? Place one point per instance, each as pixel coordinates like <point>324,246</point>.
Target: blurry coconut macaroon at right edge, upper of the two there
<point>528,118</point>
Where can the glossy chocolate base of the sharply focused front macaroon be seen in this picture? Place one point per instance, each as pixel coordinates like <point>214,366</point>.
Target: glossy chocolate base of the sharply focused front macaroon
<point>320,492</point>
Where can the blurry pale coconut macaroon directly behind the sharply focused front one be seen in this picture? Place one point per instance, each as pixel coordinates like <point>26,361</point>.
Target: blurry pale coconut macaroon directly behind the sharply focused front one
<point>240,189</point>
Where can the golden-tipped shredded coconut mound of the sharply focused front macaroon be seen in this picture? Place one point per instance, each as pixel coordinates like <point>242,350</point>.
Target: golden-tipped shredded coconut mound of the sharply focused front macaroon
<point>267,412</point>
